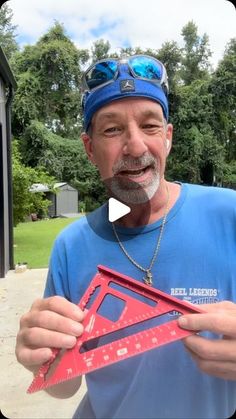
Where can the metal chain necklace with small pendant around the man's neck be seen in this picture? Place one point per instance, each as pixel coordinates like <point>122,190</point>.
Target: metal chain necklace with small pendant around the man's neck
<point>148,278</point>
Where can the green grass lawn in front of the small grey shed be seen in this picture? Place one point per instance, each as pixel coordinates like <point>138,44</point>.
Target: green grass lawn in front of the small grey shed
<point>33,241</point>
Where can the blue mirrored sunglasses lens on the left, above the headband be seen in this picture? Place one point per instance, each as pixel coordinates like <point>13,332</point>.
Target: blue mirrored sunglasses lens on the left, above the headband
<point>101,73</point>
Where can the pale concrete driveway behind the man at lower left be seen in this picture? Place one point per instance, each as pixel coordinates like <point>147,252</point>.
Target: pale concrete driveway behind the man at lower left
<point>17,292</point>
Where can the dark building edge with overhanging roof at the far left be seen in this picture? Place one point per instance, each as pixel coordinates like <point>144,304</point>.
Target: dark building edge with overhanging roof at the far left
<point>7,87</point>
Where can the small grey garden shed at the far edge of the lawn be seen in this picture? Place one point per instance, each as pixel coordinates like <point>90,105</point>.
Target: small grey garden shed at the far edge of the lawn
<point>64,202</point>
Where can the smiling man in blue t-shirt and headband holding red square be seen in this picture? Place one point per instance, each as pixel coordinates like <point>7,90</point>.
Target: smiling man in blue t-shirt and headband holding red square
<point>179,238</point>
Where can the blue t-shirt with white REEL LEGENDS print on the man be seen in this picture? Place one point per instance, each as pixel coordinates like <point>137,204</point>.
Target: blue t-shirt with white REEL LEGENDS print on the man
<point>196,262</point>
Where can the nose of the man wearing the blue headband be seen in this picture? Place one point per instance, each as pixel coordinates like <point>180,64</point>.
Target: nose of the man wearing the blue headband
<point>135,143</point>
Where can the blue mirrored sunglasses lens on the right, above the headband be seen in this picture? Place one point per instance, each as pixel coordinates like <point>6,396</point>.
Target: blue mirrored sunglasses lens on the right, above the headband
<point>146,67</point>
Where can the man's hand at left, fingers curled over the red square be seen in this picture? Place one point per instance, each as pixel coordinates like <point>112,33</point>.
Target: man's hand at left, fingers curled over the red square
<point>51,323</point>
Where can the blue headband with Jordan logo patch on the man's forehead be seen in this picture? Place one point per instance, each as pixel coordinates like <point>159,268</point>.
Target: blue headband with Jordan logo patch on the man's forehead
<point>123,87</point>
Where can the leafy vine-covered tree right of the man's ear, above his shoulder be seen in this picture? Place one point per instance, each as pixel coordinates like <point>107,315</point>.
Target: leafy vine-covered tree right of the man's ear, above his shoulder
<point>197,156</point>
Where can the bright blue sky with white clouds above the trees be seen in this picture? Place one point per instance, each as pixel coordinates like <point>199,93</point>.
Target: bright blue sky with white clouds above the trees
<point>123,23</point>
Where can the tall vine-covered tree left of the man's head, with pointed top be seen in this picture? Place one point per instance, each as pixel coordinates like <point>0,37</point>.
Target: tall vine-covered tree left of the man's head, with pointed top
<point>53,67</point>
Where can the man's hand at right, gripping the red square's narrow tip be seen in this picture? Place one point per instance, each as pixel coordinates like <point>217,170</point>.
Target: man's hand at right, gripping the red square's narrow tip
<point>217,356</point>
